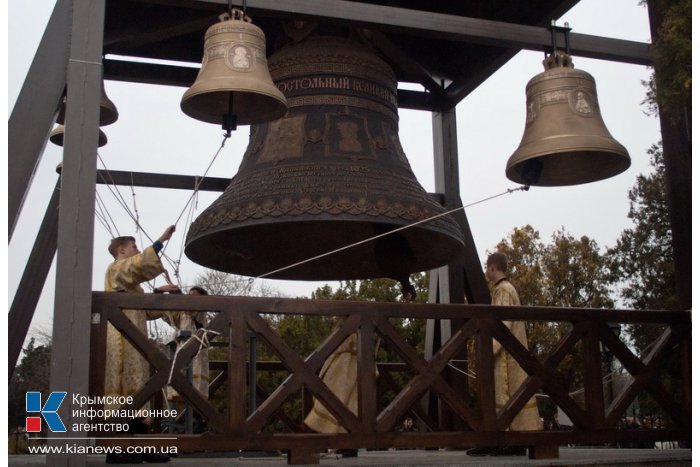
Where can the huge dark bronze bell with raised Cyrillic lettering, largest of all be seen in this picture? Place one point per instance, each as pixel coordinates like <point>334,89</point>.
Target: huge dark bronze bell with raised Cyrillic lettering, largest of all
<point>330,173</point>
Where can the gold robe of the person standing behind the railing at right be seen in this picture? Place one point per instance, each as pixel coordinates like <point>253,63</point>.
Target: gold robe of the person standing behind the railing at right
<point>508,374</point>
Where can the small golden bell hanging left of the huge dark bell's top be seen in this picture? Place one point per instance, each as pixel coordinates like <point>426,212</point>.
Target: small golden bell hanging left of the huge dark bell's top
<point>234,79</point>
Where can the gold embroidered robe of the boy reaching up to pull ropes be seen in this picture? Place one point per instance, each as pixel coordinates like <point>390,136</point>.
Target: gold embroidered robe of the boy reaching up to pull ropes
<point>126,371</point>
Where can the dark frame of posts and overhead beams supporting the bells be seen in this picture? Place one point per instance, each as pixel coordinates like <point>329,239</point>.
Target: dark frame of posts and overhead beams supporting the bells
<point>70,56</point>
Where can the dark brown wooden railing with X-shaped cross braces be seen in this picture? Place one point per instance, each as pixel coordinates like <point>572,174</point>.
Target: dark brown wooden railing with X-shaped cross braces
<point>594,421</point>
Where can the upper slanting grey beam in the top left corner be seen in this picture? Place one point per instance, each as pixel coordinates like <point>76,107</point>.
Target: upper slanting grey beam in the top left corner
<point>35,109</point>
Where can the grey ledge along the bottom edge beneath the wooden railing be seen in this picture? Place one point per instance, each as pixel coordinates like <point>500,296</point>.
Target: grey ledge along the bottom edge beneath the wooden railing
<point>568,456</point>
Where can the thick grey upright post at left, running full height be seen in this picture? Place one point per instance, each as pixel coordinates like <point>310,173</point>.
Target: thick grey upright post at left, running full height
<point>71,330</point>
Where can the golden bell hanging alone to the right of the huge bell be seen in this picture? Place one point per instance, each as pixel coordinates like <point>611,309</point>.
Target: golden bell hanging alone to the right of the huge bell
<point>565,140</point>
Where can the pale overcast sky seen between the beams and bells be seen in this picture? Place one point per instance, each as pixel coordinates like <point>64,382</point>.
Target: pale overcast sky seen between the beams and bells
<point>153,135</point>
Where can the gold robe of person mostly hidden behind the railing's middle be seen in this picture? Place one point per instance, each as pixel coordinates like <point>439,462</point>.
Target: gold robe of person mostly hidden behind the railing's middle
<point>339,373</point>
